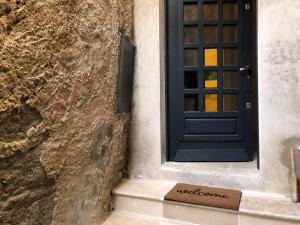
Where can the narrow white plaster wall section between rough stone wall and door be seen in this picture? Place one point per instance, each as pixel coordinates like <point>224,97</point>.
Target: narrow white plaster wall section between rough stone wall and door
<point>145,144</point>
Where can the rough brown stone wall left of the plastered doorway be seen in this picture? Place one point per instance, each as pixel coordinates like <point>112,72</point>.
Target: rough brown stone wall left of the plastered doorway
<point>61,141</point>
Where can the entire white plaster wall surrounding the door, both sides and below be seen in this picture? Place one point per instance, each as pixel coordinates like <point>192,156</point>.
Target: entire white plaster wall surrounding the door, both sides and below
<point>279,103</point>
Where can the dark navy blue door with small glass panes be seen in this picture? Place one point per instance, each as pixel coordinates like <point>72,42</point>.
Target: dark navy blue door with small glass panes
<point>209,80</point>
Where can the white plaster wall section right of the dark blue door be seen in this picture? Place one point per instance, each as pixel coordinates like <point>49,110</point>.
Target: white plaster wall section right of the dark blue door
<point>279,88</point>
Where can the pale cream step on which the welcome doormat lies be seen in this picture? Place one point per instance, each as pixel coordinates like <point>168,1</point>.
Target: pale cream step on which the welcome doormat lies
<point>145,197</point>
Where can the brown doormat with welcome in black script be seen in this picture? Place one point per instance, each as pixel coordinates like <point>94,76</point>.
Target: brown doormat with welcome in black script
<point>207,196</point>
